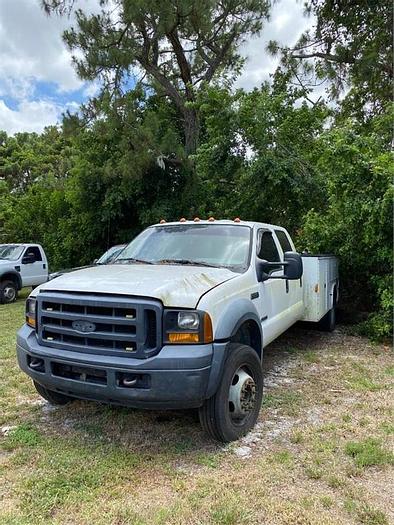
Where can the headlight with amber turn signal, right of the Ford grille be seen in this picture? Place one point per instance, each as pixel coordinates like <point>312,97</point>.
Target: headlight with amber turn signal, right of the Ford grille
<point>187,326</point>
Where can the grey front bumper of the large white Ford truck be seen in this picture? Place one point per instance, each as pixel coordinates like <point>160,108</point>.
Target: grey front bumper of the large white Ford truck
<point>177,377</point>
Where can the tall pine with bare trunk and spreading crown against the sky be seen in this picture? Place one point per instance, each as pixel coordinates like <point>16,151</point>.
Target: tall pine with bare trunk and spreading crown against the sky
<point>179,45</point>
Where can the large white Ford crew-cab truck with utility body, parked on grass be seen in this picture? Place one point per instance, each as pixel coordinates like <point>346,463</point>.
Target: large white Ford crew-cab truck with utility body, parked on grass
<point>179,320</point>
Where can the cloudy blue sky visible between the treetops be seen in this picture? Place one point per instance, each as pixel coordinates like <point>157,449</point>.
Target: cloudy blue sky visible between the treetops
<point>38,82</point>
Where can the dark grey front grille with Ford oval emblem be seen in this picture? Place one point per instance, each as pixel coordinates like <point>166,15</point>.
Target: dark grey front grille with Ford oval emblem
<point>99,324</point>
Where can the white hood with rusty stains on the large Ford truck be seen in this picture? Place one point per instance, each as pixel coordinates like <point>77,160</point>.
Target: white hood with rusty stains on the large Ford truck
<point>174,285</point>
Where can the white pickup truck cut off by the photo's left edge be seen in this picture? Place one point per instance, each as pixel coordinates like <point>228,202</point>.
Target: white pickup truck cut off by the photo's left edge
<point>21,265</point>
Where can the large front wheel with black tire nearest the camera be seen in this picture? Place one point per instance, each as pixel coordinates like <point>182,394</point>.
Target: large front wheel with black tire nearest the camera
<point>233,410</point>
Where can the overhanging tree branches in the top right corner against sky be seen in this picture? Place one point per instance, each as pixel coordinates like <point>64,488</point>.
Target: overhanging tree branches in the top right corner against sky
<point>350,45</point>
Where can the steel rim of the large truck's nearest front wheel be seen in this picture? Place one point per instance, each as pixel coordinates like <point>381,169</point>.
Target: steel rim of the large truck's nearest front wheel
<point>242,396</point>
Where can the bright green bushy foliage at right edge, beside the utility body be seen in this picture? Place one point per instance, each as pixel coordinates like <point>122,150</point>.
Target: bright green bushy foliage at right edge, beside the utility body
<point>355,222</point>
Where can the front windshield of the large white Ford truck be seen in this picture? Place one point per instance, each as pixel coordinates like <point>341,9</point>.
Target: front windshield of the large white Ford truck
<point>225,246</point>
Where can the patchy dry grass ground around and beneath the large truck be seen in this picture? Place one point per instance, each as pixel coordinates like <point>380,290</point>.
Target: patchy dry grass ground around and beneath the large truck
<point>321,453</point>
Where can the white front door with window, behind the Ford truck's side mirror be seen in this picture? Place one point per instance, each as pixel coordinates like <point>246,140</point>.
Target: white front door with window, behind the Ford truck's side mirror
<point>273,296</point>
